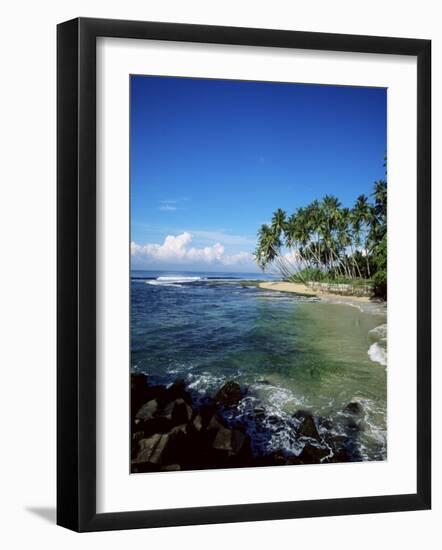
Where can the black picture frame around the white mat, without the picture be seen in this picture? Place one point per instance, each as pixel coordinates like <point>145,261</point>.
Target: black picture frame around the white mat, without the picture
<point>76,274</point>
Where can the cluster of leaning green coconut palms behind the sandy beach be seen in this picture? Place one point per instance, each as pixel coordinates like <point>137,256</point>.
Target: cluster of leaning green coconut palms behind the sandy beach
<point>327,242</point>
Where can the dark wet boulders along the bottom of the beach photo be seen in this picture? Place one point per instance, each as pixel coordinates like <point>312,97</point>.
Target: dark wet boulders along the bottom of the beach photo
<point>170,431</point>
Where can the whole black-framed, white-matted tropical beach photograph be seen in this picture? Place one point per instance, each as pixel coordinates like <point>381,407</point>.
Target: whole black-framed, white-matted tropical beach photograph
<point>243,274</point>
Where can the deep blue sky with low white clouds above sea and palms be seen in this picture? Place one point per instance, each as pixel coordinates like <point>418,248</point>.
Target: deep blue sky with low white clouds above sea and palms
<point>212,159</point>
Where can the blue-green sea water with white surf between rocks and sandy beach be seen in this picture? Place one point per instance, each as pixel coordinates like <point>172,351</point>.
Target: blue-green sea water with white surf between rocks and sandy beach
<point>290,352</point>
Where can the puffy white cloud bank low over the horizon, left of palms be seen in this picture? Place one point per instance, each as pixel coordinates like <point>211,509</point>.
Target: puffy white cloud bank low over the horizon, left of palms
<point>175,248</point>
